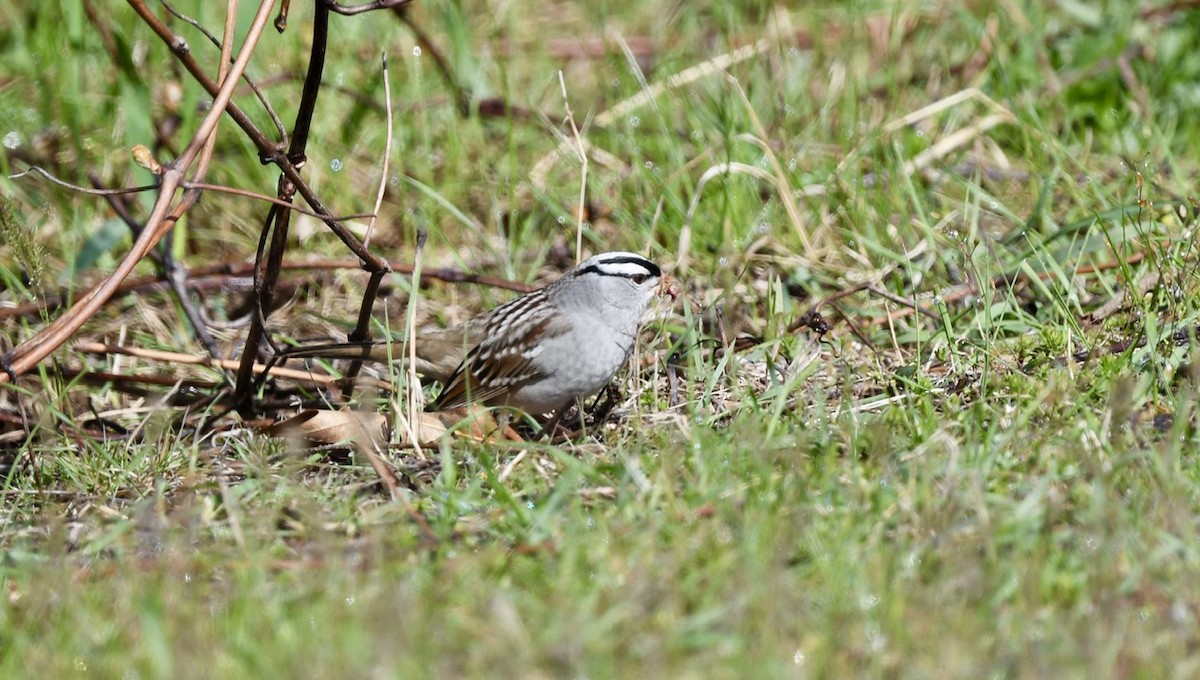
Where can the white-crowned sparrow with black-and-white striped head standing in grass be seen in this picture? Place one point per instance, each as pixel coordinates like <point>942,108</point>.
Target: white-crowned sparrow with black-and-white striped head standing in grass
<point>541,352</point>
